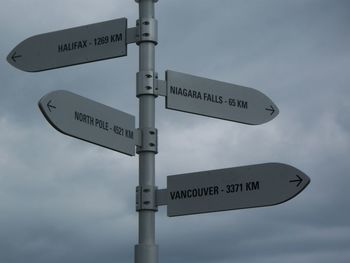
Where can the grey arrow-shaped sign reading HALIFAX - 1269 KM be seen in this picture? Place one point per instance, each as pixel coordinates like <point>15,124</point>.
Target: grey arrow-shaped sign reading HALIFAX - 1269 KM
<point>71,46</point>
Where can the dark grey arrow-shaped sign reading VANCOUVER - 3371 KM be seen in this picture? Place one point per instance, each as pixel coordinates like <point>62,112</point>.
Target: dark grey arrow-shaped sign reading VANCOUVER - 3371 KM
<point>232,188</point>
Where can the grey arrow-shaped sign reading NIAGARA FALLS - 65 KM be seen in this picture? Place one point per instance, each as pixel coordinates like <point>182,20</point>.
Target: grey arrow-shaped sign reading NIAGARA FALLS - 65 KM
<point>217,99</point>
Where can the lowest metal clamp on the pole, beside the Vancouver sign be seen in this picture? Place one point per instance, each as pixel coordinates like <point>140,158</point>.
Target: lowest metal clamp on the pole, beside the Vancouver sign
<point>146,198</point>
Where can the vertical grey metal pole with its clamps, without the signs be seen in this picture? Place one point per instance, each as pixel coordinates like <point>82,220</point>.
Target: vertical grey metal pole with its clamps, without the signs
<point>146,251</point>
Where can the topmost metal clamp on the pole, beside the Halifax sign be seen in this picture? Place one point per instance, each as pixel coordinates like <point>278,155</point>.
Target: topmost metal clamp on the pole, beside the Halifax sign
<point>147,29</point>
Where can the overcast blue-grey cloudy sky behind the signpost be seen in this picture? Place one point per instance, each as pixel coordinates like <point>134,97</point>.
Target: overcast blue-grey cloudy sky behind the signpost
<point>66,200</point>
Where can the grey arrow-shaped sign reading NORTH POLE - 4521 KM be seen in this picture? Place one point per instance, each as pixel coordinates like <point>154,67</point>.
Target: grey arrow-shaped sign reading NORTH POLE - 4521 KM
<point>88,120</point>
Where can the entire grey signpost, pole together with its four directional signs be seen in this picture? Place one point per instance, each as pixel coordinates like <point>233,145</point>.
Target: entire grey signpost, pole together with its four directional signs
<point>79,117</point>
